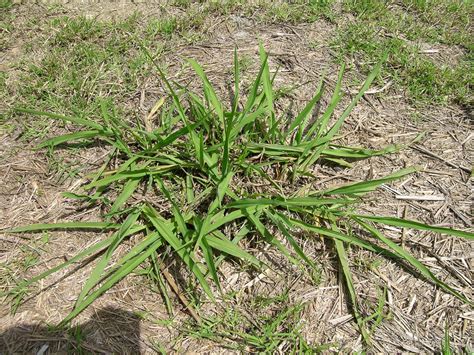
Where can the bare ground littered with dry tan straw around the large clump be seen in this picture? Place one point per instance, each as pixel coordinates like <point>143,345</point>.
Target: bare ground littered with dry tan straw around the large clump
<point>132,318</point>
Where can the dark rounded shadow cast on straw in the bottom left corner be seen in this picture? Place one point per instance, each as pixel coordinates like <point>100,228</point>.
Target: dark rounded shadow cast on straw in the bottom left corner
<point>110,330</point>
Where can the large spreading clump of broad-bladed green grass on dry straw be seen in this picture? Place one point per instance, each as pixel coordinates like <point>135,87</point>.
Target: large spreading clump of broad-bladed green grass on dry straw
<point>194,158</point>
